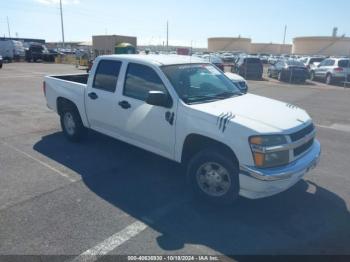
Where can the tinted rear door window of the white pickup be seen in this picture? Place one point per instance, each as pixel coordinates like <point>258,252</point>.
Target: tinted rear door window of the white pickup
<point>106,76</point>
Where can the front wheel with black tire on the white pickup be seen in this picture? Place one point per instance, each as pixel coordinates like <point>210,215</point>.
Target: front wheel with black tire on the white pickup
<point>216,159</point>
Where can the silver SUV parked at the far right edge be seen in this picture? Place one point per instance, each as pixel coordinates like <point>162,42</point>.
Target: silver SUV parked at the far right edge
<point>332,70</point>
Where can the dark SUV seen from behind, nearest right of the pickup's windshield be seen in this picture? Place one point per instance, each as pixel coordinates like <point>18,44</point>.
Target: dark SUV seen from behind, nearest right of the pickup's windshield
<point>249,67</point>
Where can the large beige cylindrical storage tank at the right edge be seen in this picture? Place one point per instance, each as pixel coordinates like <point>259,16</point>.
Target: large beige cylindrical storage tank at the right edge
<point>322,45</point>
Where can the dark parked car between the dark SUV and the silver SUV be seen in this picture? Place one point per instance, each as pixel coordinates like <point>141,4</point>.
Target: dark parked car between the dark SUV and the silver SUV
<point>288,70</point>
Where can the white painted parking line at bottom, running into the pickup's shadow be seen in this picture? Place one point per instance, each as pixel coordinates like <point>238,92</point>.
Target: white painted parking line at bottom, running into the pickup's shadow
<point>125,234</point>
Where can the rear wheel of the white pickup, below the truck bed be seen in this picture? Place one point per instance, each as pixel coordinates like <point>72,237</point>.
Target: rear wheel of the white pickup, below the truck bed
<point>76,132</point>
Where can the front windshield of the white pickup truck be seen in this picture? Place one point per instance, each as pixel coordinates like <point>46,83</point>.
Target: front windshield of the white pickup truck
<point>200,83</point>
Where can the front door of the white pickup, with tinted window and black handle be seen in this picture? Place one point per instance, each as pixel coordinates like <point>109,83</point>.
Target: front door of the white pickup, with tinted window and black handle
<point>147,126</point>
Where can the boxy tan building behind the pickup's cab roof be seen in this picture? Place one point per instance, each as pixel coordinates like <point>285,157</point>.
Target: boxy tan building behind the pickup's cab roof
<point>105,44</point>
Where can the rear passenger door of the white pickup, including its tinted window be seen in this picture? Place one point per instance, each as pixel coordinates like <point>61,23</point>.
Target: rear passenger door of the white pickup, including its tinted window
<point>101,101</point>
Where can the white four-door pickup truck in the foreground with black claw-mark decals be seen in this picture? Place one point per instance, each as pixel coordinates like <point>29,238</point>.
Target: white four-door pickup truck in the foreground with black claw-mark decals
<point>189,111</point>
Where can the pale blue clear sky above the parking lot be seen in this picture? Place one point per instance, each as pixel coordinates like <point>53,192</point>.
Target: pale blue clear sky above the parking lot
<point>190,21</point>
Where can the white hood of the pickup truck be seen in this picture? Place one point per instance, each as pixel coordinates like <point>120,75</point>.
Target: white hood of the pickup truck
<point>277,115</point>
